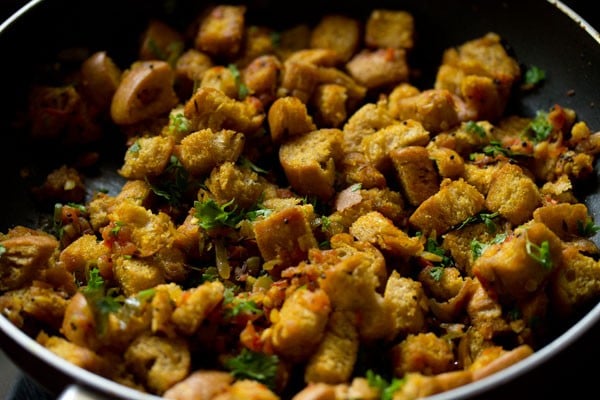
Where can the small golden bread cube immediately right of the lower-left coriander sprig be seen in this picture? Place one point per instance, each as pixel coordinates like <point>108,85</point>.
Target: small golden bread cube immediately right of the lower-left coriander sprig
<point>134,275</point>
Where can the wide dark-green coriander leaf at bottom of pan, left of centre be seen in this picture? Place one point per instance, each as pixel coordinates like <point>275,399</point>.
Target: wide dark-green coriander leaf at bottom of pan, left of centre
<point>254,365</point>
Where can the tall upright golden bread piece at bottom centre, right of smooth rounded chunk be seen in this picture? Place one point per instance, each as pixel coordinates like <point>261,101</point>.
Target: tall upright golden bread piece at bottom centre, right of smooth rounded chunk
<point>334,359</point>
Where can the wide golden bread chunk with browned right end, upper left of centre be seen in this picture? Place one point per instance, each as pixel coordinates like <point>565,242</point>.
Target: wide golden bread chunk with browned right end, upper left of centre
<point>201,151</point>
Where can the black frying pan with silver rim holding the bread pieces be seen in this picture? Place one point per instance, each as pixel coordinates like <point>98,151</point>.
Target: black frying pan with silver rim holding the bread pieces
<point>543,33</point>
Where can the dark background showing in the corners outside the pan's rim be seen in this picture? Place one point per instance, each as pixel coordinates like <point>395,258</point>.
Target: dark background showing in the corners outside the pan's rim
<point>573,373</point>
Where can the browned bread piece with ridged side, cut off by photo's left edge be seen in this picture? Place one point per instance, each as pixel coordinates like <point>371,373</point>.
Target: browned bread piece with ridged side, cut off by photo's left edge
<point>26,252</point>
